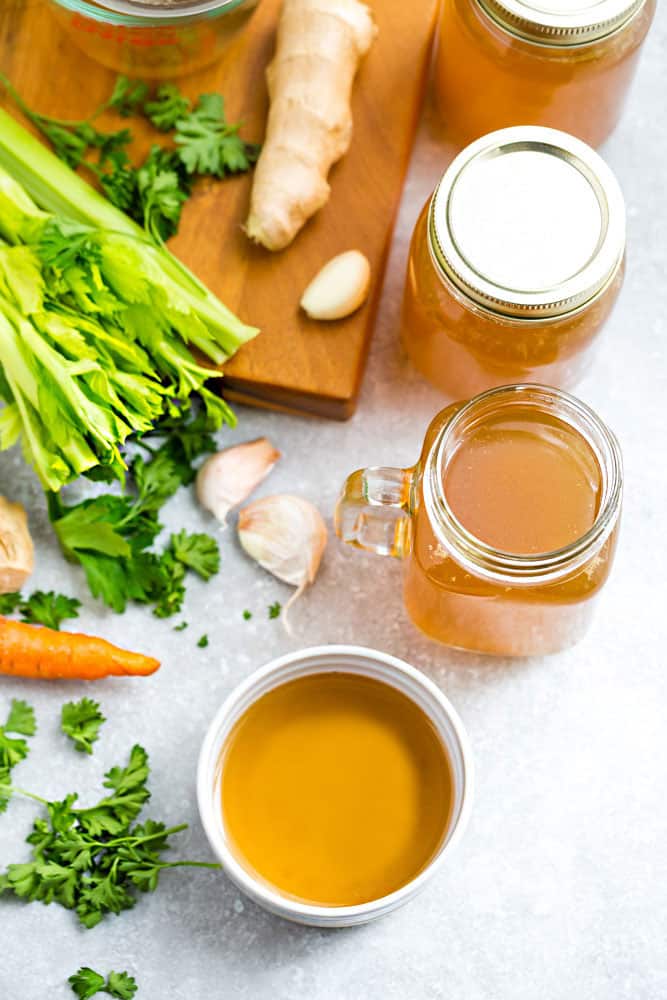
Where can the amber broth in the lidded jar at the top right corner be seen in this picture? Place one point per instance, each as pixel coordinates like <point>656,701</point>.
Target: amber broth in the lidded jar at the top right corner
<point>486,78</point>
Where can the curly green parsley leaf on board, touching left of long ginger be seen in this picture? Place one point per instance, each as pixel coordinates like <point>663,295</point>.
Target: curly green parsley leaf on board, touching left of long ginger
<point>208,145</point>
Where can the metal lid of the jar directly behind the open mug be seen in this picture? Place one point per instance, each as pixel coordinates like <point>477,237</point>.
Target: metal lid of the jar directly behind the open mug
<point>528,222</point>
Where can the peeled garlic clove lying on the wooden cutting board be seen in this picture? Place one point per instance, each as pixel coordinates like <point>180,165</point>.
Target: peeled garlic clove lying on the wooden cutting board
<point>339,288</point>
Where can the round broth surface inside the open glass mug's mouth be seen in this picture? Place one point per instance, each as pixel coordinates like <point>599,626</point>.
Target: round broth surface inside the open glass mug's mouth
<point>524,483</point>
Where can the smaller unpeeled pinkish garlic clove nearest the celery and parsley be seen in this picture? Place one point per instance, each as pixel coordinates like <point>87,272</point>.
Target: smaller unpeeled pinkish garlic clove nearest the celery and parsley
<point>228,478</point>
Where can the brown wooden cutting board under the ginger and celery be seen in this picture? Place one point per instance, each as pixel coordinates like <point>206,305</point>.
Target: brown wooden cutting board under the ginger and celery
<point>295,363</point>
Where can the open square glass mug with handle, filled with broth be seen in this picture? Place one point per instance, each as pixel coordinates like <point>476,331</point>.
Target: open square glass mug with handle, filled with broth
<point>507,523</point>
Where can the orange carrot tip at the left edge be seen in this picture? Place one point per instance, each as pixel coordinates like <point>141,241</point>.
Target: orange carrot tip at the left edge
<point>33,651</point>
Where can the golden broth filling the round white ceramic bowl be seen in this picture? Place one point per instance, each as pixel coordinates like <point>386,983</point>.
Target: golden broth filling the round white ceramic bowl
<point>336,789</point>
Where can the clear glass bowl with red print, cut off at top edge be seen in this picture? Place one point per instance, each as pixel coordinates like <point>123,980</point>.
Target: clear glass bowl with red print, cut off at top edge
<point>151,41</point>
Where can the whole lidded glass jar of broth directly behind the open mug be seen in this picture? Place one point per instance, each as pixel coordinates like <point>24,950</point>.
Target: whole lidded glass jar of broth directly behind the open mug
<point>515,264</point>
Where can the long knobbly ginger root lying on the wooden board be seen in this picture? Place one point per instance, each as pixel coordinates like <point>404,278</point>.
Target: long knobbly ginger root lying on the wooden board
<point>318,49</point>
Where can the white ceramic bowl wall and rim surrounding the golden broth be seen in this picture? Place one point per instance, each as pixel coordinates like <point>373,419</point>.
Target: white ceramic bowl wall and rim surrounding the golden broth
<point>325,659</point>
